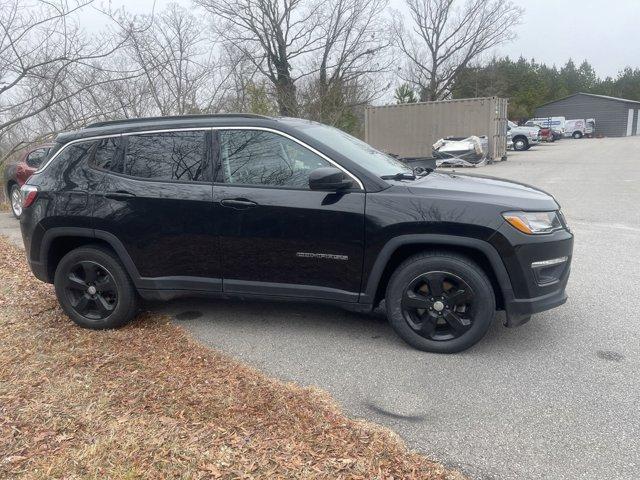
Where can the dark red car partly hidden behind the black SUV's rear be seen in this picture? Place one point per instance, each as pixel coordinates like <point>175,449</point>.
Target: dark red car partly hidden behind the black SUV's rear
<point>18,169</point>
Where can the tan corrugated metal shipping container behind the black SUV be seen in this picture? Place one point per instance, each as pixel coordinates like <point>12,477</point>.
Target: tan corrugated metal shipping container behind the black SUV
<point>411,129</point>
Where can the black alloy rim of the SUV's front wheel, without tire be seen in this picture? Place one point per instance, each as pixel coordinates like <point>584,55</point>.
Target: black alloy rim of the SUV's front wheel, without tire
<point>438,305</point>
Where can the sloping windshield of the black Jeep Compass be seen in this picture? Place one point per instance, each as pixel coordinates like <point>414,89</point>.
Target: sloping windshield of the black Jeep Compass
<point>356,150</point>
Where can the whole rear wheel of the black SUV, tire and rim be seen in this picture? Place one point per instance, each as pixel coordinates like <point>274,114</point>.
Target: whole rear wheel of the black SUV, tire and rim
<point>110,299</point>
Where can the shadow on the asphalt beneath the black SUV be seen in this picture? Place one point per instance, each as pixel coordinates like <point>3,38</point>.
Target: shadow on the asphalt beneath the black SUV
<point>227,323</point>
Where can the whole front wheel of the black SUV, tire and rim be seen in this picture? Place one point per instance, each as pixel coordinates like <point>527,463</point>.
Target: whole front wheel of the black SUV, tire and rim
<point>431,328</point>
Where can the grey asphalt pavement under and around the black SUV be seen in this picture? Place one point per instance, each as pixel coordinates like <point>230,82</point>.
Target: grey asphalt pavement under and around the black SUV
<point>557,398</point>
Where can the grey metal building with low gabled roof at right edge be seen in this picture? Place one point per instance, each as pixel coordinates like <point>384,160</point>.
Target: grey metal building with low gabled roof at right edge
<point>615,117</point>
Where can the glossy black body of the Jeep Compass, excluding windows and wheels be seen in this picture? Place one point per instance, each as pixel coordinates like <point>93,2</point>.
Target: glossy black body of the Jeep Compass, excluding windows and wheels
<point>208,237</point>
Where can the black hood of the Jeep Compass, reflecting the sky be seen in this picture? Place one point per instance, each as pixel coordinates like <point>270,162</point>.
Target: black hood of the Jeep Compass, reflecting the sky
<point>482,189</point>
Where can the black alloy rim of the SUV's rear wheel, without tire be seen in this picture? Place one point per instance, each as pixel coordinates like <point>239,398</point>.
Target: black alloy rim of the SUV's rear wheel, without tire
<point>91,290</point>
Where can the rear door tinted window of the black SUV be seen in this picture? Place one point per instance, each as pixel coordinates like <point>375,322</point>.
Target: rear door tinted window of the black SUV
<point>166,156</point>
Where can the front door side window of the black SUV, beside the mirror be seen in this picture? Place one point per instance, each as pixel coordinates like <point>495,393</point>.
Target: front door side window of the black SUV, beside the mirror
<point>253,157</point>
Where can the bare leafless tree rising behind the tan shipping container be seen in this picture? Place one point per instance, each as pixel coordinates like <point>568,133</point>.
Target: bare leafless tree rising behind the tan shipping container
<point>446,35</point>
